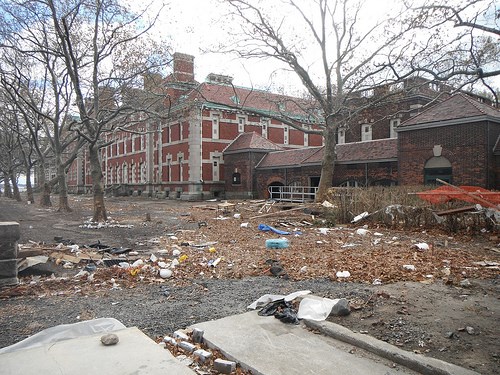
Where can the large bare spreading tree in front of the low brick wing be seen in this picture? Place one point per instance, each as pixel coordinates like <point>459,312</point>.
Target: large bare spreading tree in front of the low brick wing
<point>337,55</point>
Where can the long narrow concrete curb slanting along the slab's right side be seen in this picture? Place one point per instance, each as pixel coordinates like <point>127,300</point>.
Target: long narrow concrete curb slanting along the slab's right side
<point>416,362</point>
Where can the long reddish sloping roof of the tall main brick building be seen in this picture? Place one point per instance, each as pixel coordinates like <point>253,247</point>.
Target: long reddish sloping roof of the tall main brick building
<point>253,100</point>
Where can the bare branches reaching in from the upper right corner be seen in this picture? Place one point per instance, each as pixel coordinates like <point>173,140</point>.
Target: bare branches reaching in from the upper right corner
<point>458,42</point>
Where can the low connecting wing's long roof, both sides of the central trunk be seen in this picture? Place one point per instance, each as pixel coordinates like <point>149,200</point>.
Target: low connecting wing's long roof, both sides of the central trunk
<point>349,153</point>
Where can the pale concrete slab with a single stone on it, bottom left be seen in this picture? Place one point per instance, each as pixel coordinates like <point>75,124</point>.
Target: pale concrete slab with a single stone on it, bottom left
<point>135,354</point>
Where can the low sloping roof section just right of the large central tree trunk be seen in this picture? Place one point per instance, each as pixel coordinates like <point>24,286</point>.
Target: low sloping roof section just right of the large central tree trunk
<point>376,150</point>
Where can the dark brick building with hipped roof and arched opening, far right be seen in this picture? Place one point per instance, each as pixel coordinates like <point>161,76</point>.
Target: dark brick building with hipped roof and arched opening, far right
<point>456,140</point>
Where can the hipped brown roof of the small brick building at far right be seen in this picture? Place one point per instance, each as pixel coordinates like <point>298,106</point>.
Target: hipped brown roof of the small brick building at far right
<point>456,107</point>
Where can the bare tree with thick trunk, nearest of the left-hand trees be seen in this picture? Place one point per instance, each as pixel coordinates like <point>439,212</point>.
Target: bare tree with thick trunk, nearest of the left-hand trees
<point>107,50</point>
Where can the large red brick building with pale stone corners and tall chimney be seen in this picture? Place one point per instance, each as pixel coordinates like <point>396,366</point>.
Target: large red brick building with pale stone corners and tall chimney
<point>181,157</point>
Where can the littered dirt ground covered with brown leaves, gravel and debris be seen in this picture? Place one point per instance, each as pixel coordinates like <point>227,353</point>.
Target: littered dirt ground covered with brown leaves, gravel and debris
<point>442,301</point>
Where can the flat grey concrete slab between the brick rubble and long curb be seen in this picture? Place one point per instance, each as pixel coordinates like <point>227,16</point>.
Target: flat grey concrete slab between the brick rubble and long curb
<point>267,346</point>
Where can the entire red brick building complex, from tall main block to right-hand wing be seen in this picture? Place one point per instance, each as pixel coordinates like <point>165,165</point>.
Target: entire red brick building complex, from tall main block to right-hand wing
<point>221,140</point>
